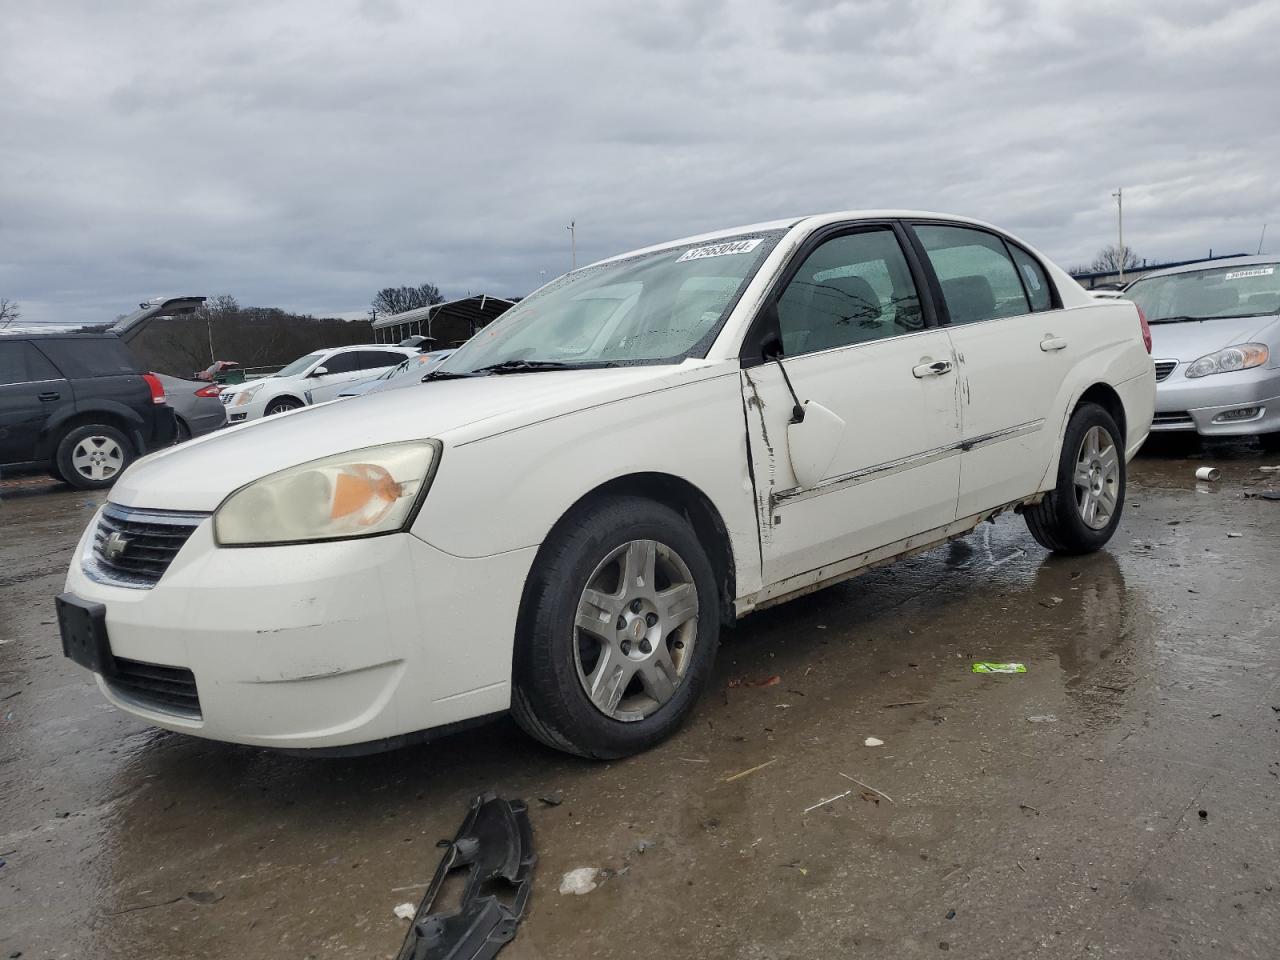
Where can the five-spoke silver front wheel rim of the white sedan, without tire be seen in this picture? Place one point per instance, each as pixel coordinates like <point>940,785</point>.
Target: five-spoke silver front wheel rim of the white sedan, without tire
<point>636,627</point>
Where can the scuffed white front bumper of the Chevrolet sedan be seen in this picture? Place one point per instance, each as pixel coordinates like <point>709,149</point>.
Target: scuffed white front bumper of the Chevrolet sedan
<point>319,646</point>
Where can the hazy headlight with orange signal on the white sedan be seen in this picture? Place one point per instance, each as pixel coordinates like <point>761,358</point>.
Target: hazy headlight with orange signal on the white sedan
<point>362,493</point>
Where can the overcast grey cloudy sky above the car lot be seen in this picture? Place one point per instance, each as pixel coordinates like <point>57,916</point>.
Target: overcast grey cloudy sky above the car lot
<point>307,154</point>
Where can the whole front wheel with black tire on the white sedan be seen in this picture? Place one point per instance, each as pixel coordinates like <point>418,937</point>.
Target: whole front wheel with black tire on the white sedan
<point>664,666</point>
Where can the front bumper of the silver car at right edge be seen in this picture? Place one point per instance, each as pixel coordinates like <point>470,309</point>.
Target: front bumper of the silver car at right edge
<point>1200,406</point>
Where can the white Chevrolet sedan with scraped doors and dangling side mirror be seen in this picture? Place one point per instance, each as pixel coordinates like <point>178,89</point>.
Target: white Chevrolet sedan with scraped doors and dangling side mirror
<point>560,523</point>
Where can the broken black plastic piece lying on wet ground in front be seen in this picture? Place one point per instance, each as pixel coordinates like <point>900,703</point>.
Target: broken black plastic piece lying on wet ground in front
<point>495,847</point>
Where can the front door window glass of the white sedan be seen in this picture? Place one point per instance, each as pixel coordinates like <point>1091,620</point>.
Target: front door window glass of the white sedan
<point>851,290</point>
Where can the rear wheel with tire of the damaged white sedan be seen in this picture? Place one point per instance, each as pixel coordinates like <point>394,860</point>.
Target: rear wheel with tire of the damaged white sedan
<point>1063,522</point>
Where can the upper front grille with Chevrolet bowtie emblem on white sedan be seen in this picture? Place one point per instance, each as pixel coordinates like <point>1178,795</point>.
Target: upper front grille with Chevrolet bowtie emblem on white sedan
<point>135,547</point>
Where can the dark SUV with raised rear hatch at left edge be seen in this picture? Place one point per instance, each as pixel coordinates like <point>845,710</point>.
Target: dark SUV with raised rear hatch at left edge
<point>79,406</point>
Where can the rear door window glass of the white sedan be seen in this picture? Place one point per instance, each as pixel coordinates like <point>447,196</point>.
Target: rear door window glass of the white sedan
<point>979,278</point>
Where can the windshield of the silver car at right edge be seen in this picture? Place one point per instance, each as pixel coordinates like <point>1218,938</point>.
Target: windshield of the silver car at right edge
<point>1251,290</point>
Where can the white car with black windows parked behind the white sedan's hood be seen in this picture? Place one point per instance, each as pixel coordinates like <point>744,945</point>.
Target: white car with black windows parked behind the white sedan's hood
<point>314,378</point>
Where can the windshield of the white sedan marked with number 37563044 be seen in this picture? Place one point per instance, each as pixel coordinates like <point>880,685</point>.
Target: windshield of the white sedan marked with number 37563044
<point>648,309</point>
